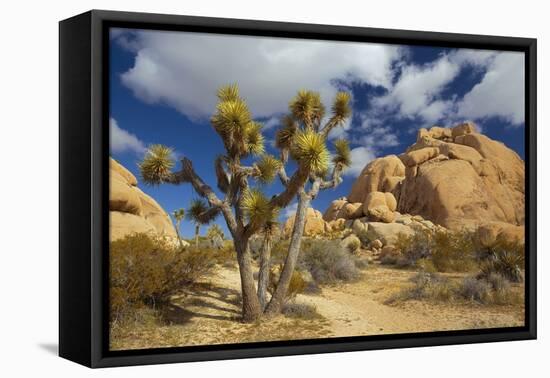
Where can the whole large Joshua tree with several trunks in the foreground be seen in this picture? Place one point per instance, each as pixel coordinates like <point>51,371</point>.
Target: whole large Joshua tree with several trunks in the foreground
<point>247,211</point>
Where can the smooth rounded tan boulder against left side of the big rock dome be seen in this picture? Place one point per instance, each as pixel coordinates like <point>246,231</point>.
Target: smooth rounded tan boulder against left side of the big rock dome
<point>380,175</point>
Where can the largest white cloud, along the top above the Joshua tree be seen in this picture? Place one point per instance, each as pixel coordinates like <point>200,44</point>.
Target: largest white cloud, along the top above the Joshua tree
<point>184,70</point>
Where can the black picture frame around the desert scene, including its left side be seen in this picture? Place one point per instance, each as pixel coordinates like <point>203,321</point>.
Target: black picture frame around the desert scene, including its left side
<point>83,181</point>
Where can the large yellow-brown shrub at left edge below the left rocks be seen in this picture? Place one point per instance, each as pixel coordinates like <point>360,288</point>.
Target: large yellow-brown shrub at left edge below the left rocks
<point>145,270</point>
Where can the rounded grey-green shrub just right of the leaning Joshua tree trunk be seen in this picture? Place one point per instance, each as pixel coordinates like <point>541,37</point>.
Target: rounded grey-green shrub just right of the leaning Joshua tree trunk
<point>328,261</point>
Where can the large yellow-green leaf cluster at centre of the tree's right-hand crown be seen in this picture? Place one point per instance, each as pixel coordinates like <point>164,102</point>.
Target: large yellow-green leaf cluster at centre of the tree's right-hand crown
<point>309,150</point>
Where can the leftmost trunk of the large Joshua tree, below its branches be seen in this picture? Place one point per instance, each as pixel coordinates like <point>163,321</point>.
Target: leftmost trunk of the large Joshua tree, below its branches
<point>251,305</point>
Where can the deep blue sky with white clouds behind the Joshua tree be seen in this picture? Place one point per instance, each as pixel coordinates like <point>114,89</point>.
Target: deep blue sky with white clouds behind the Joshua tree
<point>163,86</point>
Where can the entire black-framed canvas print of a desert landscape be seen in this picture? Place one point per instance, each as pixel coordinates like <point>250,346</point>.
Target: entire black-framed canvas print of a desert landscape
<point>233,188</point>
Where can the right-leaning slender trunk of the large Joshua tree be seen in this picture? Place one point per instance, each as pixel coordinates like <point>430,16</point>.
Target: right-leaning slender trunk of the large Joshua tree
<point>277,300</point>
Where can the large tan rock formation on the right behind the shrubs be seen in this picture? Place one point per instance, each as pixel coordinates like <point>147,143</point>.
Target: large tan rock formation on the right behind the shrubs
<point>453,177</point>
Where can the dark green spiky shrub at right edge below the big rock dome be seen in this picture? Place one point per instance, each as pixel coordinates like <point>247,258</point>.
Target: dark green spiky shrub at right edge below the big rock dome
<point>506,259</point>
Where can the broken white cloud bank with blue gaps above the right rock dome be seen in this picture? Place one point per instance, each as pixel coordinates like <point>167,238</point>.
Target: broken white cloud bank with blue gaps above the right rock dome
<point>418,91</point>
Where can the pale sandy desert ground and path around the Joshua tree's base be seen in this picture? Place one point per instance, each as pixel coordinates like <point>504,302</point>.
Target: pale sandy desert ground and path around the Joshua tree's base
<point>209,314</point>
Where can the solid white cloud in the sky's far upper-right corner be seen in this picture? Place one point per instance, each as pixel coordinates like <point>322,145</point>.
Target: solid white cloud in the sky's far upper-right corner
<point>501,92</point>
